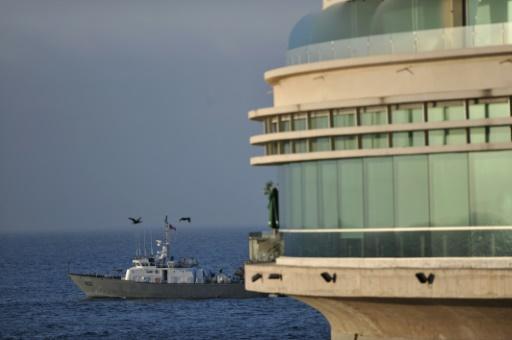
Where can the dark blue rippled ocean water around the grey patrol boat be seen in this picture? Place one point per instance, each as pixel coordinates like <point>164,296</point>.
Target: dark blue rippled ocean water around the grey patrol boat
<point>37,300</point>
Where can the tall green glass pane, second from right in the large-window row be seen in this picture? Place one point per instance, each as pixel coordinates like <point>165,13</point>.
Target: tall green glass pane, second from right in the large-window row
<point>449,192</point>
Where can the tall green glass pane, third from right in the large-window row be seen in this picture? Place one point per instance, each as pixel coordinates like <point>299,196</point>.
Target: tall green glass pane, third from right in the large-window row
<point>411,190</point>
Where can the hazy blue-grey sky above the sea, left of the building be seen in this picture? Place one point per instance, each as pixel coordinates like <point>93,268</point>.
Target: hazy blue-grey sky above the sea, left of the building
<point>110,109</point>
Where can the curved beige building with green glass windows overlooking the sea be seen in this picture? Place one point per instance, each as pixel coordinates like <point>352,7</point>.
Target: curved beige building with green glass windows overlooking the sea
<point>392,134</point>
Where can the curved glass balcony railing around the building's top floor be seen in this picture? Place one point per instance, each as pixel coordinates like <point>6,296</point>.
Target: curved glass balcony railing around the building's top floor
<point>404,43</point>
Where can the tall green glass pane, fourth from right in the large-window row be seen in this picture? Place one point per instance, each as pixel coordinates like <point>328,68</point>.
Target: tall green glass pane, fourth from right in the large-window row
<point>379,198</point>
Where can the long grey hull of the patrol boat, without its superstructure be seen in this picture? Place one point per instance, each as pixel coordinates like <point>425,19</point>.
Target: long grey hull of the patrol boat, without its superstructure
<point>107,287</point>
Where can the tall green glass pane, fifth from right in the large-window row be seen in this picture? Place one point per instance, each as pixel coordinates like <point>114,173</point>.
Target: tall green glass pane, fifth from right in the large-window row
<point>350,193</point>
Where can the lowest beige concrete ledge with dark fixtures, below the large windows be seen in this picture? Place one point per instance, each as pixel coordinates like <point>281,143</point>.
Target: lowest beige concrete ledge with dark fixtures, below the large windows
<point>382,280</point>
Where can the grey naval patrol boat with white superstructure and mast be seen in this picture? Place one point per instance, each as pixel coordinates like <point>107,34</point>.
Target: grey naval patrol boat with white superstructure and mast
<point>162,277</point>
